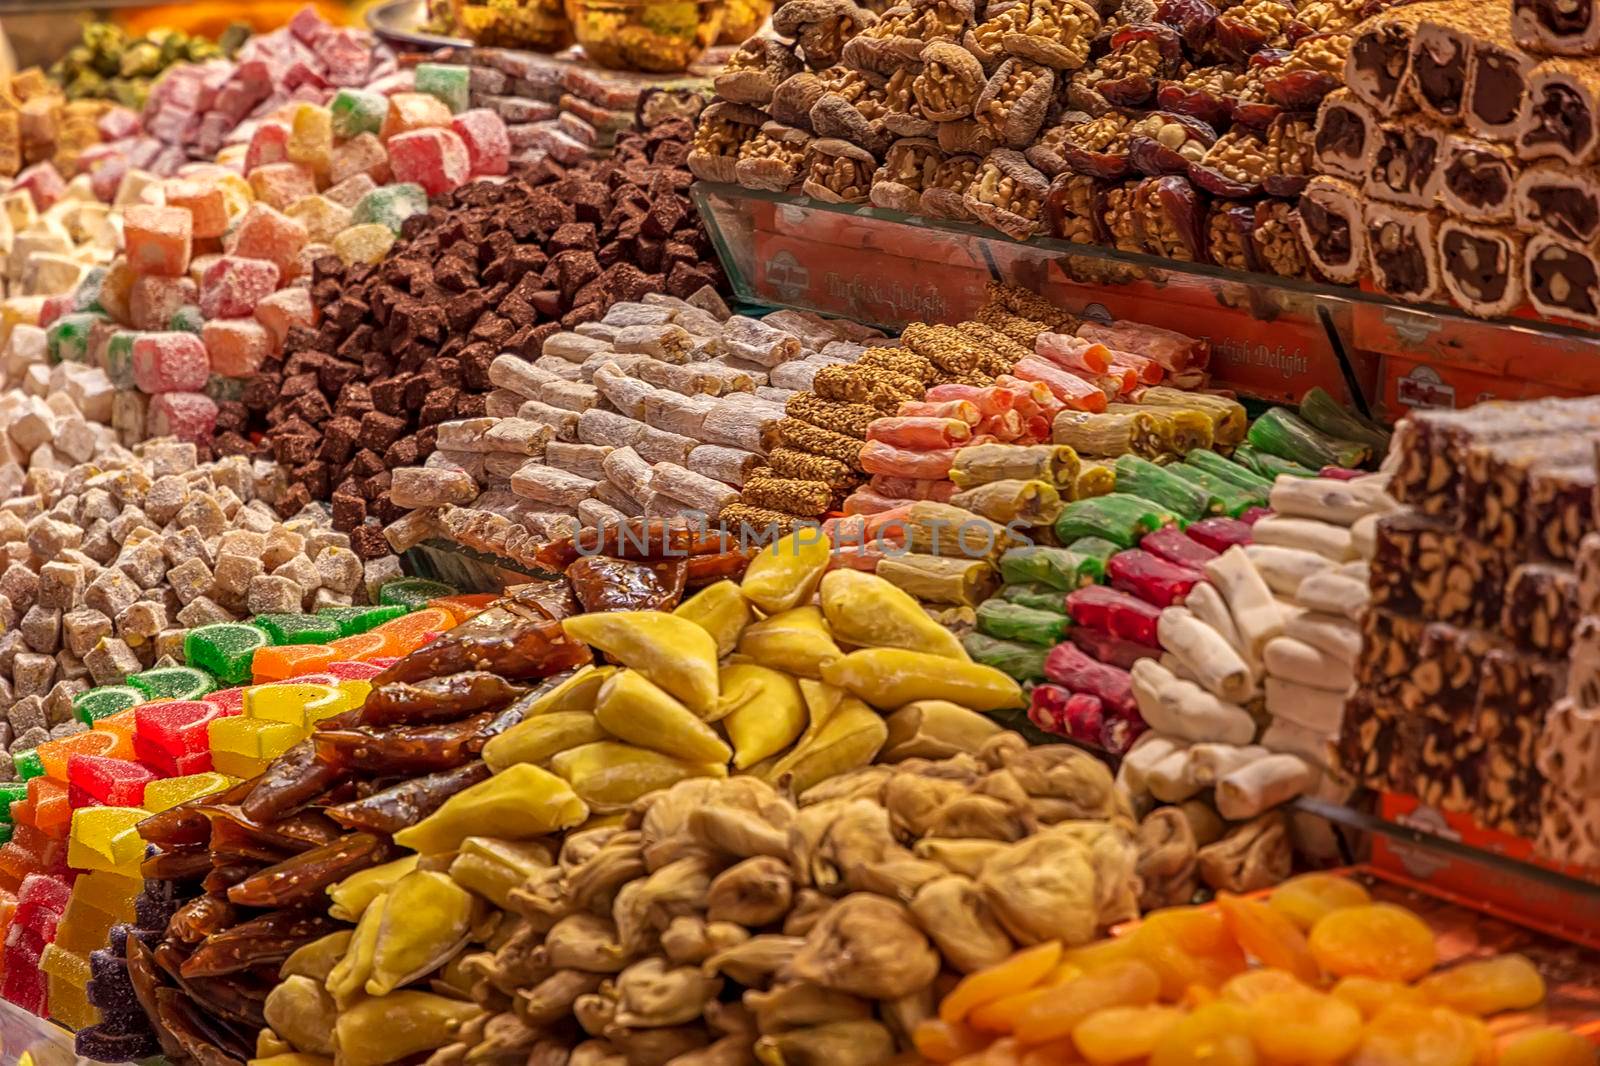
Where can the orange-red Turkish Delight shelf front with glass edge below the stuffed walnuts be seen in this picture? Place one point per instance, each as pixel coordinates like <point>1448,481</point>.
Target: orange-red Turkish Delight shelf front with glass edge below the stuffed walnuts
<point>1273,339</point>
